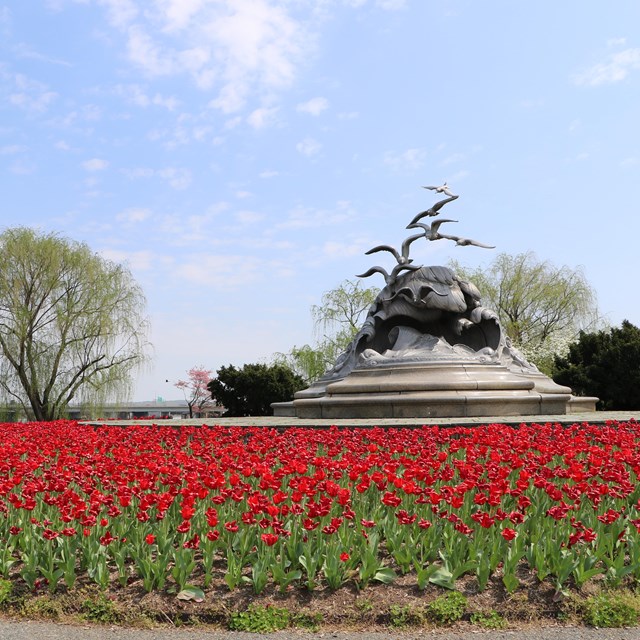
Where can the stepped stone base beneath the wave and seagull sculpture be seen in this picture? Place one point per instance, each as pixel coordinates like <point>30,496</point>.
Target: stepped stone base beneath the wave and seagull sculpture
<point>434,390</point>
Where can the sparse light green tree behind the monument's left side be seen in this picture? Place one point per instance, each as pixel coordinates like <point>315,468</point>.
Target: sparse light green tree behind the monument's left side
<point>337,320</point>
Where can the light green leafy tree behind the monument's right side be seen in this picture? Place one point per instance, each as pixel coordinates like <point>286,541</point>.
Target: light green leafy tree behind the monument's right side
<point>539,304</point>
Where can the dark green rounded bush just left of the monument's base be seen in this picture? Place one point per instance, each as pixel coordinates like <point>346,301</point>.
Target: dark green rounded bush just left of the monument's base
<point>249,391</point>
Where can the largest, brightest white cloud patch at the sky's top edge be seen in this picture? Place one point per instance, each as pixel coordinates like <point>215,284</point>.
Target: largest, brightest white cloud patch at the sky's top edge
<point>237,48</point>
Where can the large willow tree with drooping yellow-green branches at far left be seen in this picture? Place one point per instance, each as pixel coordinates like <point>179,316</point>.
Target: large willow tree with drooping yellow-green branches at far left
<point>72,324</point>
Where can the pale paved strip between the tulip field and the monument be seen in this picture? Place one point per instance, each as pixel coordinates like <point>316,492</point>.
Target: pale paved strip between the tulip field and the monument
<point>593,417</point>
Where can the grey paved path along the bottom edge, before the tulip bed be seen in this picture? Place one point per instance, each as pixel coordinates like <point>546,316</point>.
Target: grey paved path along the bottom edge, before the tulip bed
<point>15,630</point>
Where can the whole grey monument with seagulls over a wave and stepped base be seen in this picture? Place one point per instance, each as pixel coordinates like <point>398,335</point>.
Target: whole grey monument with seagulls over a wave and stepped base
<point>429,348</point>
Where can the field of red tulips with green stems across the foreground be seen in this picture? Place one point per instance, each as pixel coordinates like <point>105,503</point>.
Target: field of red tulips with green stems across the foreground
<point>165,507</point>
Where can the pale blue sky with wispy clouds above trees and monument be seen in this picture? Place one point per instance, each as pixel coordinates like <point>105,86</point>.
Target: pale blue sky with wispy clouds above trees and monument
<point>242,155</point>
